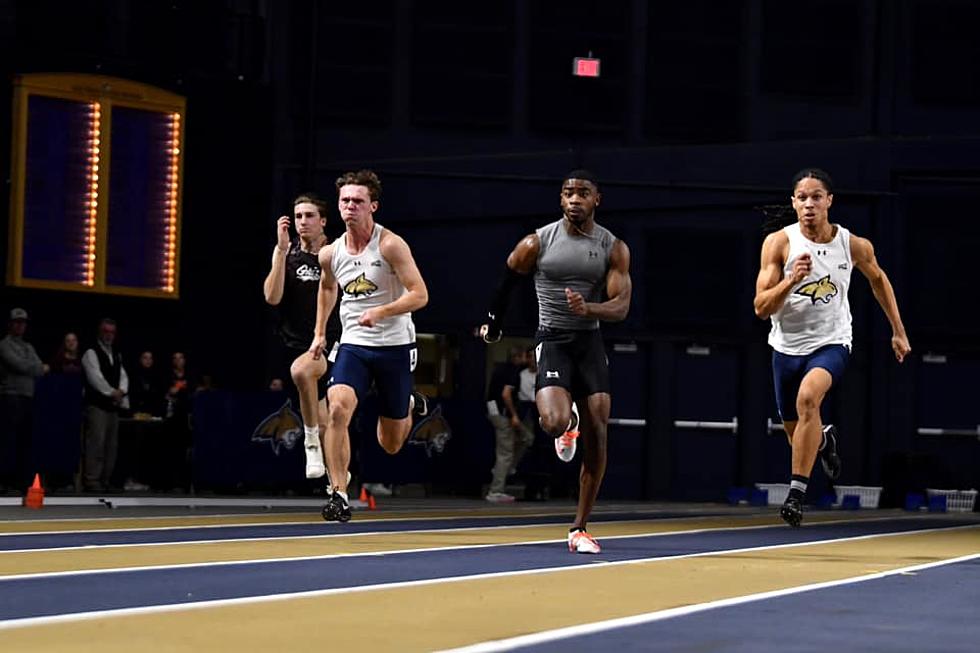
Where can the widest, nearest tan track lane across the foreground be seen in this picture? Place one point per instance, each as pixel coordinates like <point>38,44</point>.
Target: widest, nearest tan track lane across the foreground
<point>453,614</point>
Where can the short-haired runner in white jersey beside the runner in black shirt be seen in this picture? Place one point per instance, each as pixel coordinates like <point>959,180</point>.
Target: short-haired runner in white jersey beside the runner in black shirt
<point>380,285</point>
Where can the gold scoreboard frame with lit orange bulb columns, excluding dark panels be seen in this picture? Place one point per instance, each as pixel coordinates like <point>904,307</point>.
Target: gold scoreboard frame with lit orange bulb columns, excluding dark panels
<point>100,94</point>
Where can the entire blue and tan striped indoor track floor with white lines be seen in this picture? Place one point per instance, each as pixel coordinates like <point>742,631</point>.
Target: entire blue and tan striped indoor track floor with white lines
<point>464,575</point>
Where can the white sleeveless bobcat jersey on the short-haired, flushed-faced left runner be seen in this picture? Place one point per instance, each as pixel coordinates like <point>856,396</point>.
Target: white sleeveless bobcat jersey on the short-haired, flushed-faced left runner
<point>366,281</point>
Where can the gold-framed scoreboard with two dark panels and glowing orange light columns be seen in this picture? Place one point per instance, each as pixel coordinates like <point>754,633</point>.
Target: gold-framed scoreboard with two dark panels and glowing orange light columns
<point>96,182</point>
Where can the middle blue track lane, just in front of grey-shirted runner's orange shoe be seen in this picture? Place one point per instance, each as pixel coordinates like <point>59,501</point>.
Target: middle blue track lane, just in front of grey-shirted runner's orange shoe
<point>90,591</point>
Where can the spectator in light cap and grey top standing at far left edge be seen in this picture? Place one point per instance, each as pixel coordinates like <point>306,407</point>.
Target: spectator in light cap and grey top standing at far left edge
<point>19,367</point>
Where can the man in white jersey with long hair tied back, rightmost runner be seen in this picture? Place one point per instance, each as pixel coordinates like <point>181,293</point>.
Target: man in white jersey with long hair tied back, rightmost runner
<point>802,285</point>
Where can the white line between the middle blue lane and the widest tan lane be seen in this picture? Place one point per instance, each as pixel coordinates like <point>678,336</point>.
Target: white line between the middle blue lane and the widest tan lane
<point>285,596</point>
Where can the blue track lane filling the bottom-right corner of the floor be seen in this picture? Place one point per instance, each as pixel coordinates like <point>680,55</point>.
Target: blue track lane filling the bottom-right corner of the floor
<point>933,610</point>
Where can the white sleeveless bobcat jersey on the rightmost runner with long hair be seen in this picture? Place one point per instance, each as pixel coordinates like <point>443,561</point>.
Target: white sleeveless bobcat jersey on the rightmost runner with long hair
<point>816,312</point>
